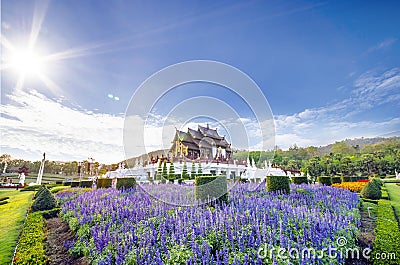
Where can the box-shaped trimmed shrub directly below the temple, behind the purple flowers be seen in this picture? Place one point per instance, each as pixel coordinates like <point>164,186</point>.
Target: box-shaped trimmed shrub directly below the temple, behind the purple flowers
<point>211,188</point>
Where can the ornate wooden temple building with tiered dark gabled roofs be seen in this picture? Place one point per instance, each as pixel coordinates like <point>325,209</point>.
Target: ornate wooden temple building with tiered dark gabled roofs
<point>204,143</point>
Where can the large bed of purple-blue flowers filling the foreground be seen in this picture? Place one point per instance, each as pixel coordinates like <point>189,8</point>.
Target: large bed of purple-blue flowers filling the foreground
<point>117,227</point>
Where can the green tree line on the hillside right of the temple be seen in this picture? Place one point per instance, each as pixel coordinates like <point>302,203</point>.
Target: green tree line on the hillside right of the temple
<point>381,158</point>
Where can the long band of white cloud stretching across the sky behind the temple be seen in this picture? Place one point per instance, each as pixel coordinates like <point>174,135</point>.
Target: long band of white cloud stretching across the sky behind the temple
<point>33,123</point>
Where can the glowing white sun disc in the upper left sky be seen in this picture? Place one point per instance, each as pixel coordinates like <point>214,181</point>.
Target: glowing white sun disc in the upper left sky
<point>27,62</point>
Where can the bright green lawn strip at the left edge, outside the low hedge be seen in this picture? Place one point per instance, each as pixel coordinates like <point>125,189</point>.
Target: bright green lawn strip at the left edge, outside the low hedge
<point>12,216</point>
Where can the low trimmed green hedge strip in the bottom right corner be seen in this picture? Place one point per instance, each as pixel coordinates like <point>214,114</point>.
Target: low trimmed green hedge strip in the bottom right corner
<point>387,235</point>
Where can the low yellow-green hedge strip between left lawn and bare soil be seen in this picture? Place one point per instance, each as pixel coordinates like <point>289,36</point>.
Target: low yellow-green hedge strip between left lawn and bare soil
<point>31,246</point>
